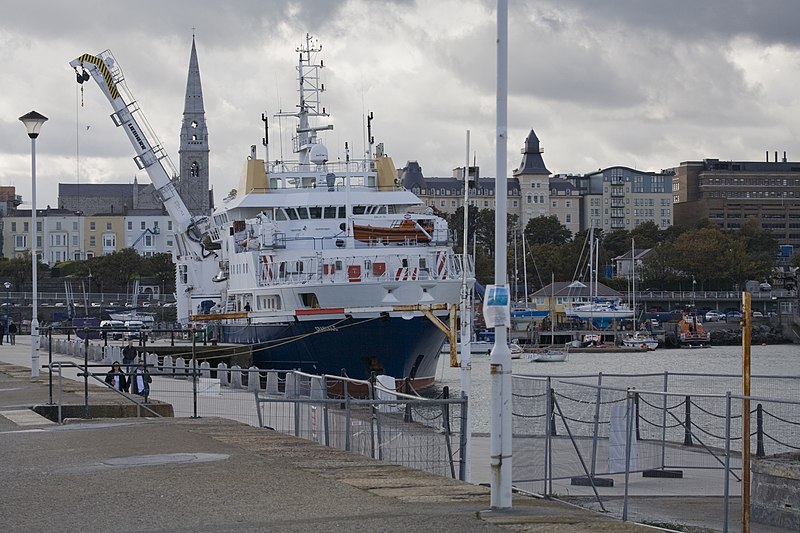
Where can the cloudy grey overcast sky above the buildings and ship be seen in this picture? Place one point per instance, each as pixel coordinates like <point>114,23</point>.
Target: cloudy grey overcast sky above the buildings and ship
<point>639,83</point>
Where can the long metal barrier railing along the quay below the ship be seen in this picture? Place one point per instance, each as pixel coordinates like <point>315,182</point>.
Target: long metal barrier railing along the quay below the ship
<point>362,417</point>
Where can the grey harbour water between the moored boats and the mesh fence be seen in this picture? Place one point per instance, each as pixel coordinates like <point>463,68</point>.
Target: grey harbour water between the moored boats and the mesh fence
<point>773,360</point>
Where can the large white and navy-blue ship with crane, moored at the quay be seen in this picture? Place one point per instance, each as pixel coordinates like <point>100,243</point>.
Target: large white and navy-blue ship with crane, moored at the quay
<point>327,267</point>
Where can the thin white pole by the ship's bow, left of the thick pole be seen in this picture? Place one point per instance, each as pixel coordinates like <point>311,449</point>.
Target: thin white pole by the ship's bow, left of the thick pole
<point>466,327</point>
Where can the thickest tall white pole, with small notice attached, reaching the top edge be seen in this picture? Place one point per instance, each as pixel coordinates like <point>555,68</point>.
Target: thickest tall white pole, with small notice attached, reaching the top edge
<point>500,448</point>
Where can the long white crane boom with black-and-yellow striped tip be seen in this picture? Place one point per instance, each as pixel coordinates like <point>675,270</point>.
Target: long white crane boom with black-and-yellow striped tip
<point>150,155</point>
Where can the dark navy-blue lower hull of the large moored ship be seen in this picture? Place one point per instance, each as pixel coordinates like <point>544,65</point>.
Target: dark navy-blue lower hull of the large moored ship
<point>393,346</point>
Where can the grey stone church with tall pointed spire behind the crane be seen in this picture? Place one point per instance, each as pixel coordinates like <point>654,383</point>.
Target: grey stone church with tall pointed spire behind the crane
<point>191,181</point>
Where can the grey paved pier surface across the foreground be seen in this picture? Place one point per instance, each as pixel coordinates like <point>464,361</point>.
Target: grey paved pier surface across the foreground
<point>215,474</point>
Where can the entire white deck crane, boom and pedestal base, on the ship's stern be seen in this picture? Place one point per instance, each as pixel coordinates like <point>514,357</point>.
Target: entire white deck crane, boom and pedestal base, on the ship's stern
<point>195,265</point>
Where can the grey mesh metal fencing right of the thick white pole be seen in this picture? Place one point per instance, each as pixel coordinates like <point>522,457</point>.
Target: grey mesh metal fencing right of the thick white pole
<point>587,438</point>
